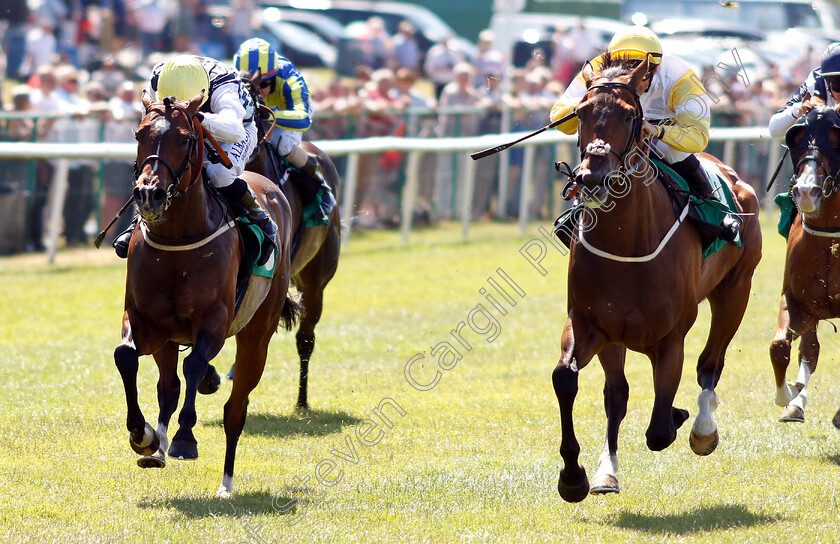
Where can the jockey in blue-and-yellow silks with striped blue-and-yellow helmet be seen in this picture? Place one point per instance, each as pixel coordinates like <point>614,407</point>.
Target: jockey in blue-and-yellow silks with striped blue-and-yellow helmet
<point>284,90</point>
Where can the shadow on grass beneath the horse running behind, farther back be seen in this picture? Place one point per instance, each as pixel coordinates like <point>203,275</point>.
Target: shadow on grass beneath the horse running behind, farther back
<point>309,423</point>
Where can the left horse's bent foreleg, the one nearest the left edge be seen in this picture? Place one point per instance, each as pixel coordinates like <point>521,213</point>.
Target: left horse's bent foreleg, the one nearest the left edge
<point>142,438</point>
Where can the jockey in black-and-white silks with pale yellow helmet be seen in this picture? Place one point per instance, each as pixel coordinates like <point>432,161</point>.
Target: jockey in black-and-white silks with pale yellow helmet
<point>227,113</point>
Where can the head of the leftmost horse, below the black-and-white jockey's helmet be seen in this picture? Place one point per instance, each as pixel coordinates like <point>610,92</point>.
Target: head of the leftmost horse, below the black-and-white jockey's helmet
<point>170,154</point>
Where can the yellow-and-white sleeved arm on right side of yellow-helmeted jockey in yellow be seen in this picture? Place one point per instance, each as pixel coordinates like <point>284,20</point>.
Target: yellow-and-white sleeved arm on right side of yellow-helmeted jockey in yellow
<point>689,129</point>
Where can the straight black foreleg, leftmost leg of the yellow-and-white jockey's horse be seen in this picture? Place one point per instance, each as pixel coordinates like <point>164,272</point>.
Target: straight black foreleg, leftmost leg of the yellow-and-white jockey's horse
<point>578,349</point>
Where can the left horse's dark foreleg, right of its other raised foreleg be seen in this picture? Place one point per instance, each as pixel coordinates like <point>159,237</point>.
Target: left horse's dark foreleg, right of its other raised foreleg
<point>209,341</point>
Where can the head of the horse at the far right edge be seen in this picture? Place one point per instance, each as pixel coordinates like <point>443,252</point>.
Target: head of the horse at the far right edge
<point>814,144</point>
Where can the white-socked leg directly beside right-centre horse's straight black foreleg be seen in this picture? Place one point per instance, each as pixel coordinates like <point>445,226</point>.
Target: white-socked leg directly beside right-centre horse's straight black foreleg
<point>616,393</point>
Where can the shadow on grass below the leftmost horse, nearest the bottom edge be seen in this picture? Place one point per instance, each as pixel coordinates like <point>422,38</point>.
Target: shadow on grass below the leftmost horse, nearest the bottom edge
<point>238,506</point>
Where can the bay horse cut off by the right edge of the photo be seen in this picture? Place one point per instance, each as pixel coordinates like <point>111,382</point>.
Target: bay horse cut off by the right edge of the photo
<point>811,284</point>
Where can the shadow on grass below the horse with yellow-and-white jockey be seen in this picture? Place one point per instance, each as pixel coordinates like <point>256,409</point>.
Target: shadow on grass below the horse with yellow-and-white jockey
<point>708,518</point>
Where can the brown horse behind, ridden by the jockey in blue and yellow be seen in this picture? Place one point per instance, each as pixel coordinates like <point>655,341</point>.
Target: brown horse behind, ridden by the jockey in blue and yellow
<point>316,260</point>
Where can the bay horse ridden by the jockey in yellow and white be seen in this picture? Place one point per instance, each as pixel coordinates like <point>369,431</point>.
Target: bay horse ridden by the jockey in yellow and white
<point>636,277</point>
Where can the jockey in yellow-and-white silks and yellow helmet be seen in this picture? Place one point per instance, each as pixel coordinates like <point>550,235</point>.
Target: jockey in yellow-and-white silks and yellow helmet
<point>675,105</point>
